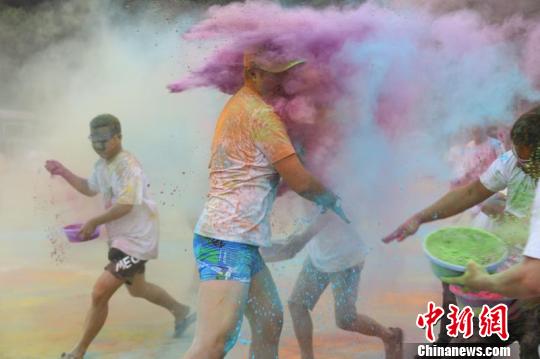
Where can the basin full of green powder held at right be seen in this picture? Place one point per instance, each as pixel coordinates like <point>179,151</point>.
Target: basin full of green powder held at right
<point>450,249</point>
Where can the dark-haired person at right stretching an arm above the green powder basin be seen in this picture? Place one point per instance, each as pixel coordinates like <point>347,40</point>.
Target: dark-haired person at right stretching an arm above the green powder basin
<point>511,171</point>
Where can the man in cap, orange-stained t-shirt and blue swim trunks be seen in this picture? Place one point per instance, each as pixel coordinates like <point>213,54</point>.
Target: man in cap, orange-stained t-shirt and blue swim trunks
<point>250,151</point>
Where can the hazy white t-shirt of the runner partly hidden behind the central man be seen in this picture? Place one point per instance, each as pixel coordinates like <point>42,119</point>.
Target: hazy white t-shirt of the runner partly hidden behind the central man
<point>337,247</point>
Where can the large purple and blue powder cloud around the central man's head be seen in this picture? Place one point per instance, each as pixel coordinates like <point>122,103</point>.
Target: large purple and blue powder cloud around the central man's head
<point>402,72</point>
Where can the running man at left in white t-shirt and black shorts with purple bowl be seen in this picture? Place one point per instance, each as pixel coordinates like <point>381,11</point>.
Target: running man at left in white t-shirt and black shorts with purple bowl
<point>131,220</point>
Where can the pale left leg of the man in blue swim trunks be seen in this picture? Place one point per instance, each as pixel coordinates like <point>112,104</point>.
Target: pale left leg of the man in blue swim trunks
<point>220,309</point>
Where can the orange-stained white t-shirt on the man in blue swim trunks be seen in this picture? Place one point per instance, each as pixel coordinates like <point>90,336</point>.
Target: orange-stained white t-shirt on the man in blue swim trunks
<point>249,137</point>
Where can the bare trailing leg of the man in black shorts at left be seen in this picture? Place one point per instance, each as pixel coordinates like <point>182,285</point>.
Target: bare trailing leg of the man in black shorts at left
<point>140,288</point>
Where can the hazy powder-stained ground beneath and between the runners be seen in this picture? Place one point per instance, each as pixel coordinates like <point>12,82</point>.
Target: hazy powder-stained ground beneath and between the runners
<point>44,302</point>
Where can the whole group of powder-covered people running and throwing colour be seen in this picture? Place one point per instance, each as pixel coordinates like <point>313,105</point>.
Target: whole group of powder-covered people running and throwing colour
<point>496,172</point>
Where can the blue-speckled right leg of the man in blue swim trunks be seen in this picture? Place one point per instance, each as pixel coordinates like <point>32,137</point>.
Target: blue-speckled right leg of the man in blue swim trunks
<point>265,314</point>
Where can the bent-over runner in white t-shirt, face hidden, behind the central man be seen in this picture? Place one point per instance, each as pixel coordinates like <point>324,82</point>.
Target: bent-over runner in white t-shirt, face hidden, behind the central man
<point>336,256</point>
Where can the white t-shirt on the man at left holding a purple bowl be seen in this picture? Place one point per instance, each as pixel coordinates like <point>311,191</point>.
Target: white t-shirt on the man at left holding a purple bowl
<point>122,181</point>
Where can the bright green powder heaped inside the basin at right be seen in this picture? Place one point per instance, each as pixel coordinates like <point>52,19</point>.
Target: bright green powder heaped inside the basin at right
<point>459,245</point>
